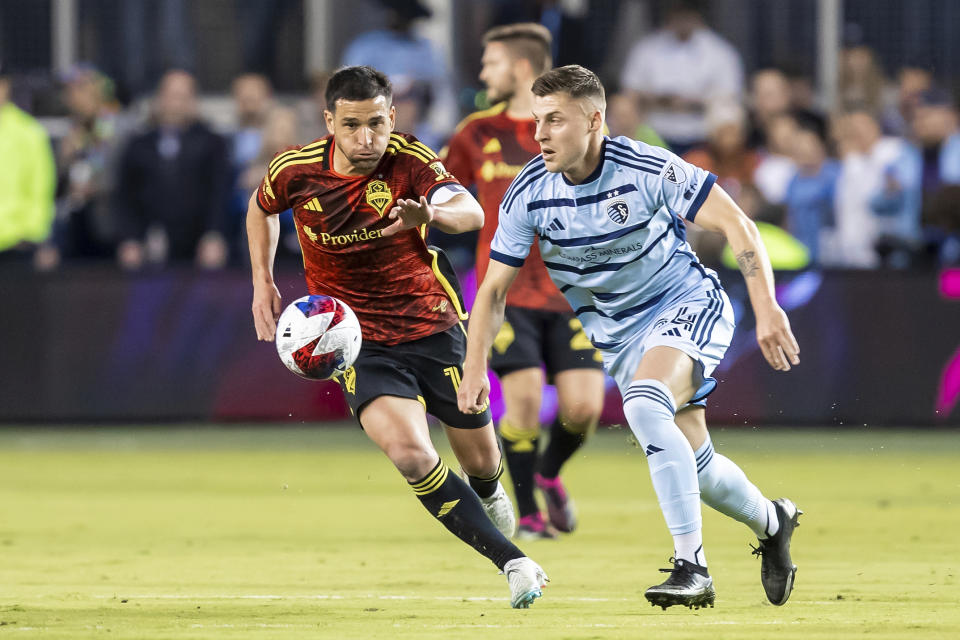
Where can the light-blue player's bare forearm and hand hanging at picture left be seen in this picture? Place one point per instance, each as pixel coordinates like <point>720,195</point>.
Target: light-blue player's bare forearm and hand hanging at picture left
<point>485,320</point>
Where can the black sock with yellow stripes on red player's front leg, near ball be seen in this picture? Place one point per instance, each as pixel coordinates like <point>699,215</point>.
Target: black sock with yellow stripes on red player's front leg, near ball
<point>457,507</point>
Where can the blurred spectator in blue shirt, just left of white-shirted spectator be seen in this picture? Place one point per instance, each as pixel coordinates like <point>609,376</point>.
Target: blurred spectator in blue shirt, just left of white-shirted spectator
<point>811,193</point>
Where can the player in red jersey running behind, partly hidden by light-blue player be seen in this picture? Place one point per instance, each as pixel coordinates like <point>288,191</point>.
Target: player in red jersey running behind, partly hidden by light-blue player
<point>487,151</point>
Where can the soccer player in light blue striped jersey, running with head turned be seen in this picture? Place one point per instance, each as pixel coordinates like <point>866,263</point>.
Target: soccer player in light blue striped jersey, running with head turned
<point>609,215</point>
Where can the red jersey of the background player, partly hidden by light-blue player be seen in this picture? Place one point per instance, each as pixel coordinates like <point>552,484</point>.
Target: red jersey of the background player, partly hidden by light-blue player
<point>488,150</point>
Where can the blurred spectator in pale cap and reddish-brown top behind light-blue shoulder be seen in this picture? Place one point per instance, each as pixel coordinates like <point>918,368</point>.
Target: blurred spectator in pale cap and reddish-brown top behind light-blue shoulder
<point>726,153</point>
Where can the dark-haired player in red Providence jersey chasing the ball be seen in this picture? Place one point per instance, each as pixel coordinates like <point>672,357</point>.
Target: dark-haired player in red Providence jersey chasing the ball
<point>362,198</point>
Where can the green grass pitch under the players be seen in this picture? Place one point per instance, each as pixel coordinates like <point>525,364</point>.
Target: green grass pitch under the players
<point>282,532</point>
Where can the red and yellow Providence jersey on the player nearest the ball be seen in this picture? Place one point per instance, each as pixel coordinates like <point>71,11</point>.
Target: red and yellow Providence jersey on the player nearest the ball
<point>393,284</point>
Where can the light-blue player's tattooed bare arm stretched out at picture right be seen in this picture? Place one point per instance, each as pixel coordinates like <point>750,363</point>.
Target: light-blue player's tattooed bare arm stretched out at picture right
<point>720,213</point>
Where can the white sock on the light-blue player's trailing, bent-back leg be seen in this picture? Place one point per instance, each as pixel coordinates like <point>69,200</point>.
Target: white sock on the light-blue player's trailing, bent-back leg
<point>725,487</point>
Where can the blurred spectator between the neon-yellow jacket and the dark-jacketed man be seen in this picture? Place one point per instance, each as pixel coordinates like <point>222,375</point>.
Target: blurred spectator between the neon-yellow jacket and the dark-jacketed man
<point>86,159</point>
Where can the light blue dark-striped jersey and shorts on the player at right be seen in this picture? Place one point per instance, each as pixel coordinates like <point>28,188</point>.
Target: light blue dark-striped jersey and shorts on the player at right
<point>616,247</point>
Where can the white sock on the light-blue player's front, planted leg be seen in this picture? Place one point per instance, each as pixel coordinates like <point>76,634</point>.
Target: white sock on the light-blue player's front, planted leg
<point>648,406</point>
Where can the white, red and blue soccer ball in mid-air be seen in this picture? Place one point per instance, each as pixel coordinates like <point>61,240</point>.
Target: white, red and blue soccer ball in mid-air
<point>318,337</point>
